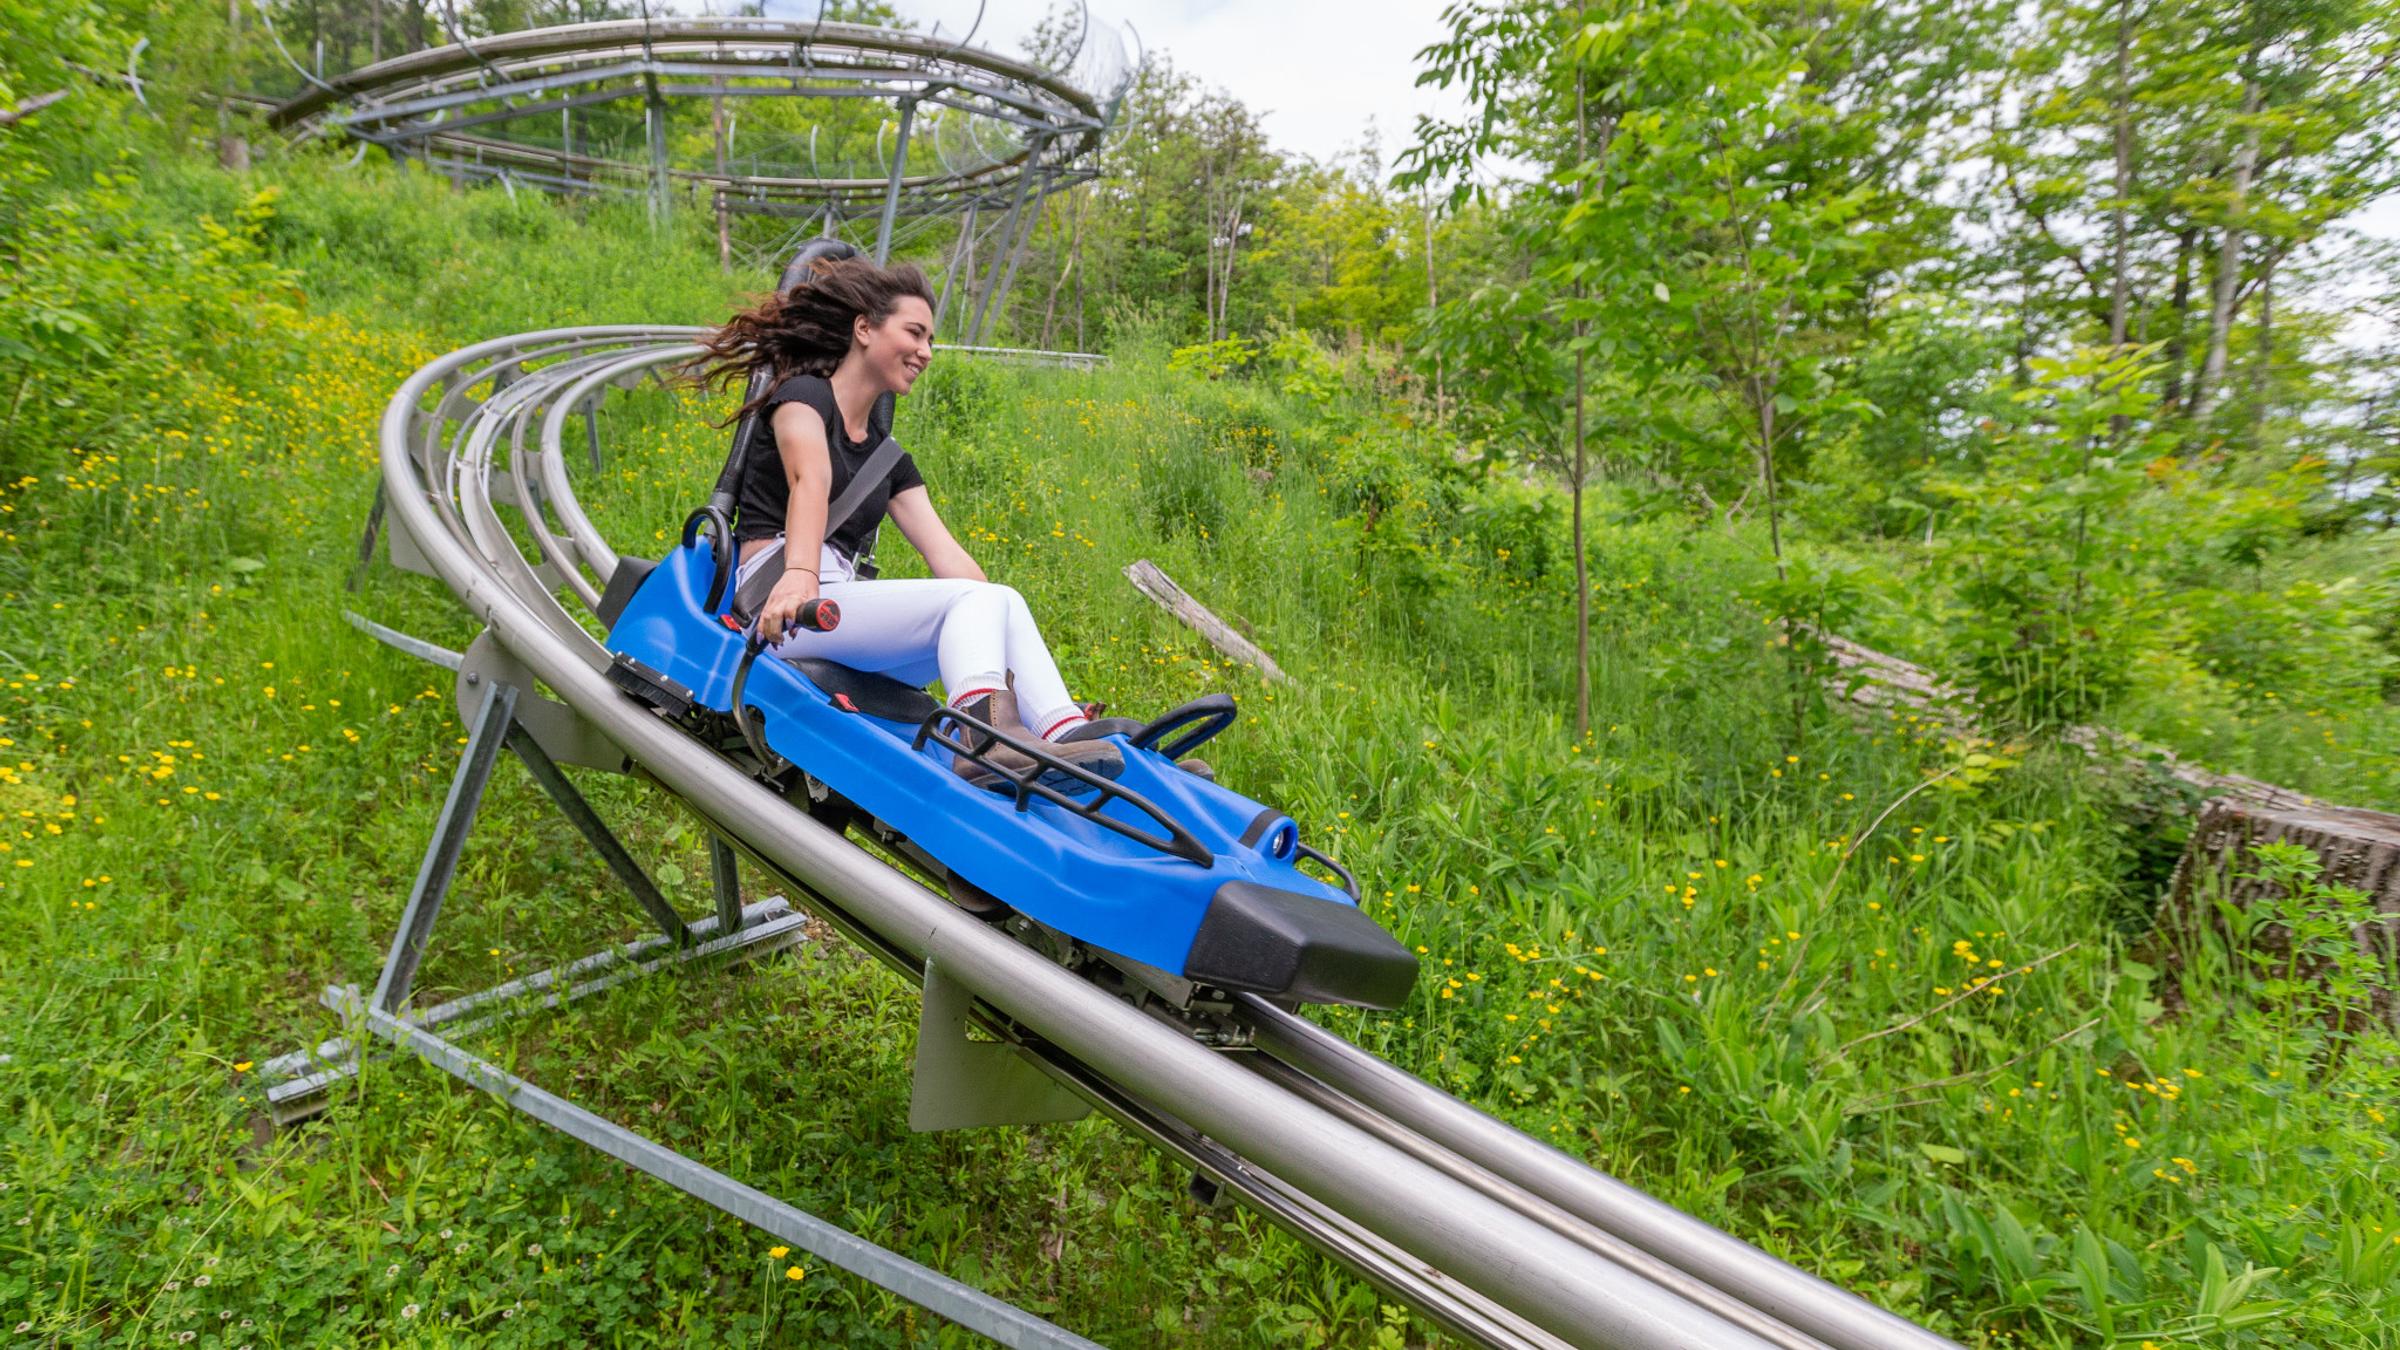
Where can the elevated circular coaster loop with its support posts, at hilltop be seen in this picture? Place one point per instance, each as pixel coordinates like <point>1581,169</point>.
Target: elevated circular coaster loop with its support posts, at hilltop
<point>968,131</point>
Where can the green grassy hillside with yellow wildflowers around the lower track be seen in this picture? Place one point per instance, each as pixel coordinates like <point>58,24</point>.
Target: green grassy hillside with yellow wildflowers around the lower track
<point>1849,988</point>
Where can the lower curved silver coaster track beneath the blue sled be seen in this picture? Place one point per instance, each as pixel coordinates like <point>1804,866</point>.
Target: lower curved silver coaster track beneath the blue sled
<point>1477,1226</point>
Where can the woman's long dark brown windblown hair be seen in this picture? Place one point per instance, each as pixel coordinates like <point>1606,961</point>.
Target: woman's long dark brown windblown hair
<point>808,328</point>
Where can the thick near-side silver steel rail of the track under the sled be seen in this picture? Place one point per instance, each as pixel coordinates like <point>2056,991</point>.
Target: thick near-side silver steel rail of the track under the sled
<point>1518,1265</point>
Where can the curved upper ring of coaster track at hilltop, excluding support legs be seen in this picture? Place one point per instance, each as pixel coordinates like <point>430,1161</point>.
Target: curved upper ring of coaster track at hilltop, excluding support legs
<point>493,107</point>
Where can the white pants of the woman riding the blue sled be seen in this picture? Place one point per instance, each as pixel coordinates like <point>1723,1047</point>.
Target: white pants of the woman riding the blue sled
<point>966,633</point>
